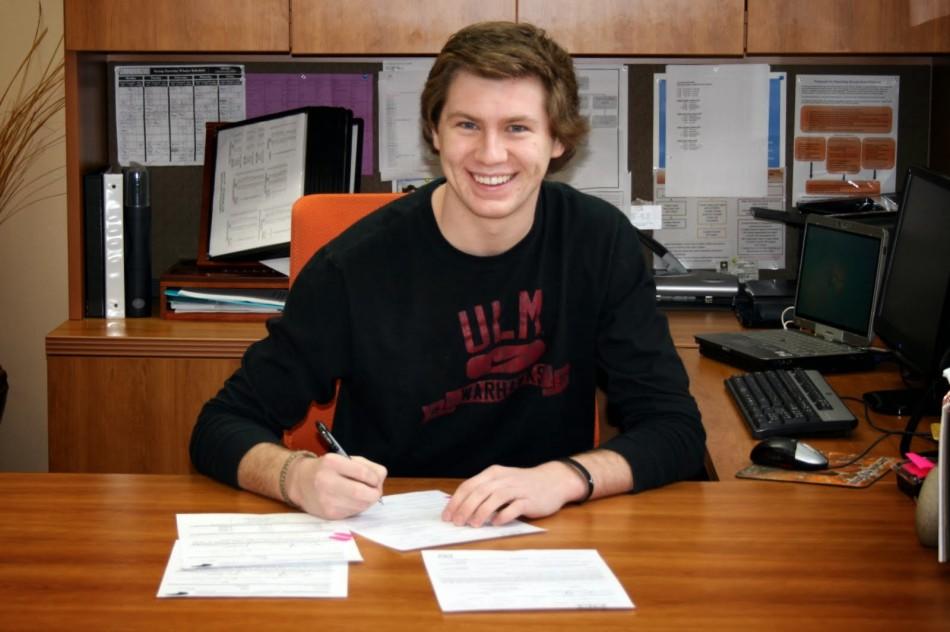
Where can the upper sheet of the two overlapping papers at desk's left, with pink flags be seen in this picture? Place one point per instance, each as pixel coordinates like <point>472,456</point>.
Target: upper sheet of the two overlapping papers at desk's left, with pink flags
<point>223,540</point>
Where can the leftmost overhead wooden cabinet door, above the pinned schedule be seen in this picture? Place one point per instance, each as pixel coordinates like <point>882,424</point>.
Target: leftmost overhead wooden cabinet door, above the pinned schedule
<point>178,25</point>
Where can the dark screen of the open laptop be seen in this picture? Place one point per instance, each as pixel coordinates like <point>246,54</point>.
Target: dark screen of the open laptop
<point>838,278</point>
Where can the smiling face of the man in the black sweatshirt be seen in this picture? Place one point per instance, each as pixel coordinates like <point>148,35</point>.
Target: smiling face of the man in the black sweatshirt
<point>495,144</point>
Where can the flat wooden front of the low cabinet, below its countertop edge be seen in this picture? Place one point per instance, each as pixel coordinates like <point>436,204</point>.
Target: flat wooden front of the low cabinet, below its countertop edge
<point>128,414</point>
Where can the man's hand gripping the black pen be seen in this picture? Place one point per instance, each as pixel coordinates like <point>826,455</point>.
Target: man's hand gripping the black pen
<point>334,486</point>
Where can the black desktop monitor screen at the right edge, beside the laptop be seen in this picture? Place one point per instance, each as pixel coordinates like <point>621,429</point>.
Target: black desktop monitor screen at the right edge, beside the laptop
<point>912,313</point>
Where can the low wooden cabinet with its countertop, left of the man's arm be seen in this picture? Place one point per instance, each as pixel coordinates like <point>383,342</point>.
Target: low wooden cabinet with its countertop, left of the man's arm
<point>124,395</point>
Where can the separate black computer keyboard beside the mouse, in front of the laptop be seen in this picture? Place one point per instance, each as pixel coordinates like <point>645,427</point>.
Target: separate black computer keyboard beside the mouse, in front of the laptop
<point>789,402</point>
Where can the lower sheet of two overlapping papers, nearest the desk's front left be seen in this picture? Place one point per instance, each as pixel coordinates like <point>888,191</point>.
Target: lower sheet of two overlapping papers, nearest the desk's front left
<point>281,580</point>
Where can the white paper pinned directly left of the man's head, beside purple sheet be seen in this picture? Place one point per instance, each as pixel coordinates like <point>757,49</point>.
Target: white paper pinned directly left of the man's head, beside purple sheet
<point>402,151</point>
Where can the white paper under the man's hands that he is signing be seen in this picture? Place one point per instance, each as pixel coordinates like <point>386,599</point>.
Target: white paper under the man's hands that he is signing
<point>410,521</point>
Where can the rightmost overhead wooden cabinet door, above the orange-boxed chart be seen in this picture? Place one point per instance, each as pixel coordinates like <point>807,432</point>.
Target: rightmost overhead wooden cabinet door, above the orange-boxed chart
<point>849,26</point>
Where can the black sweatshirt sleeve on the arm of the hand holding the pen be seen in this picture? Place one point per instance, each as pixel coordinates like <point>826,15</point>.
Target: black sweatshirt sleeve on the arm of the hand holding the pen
<point>304,352</point>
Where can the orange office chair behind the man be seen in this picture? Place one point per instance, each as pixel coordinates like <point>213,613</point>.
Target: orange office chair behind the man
<point>315,220</point>
